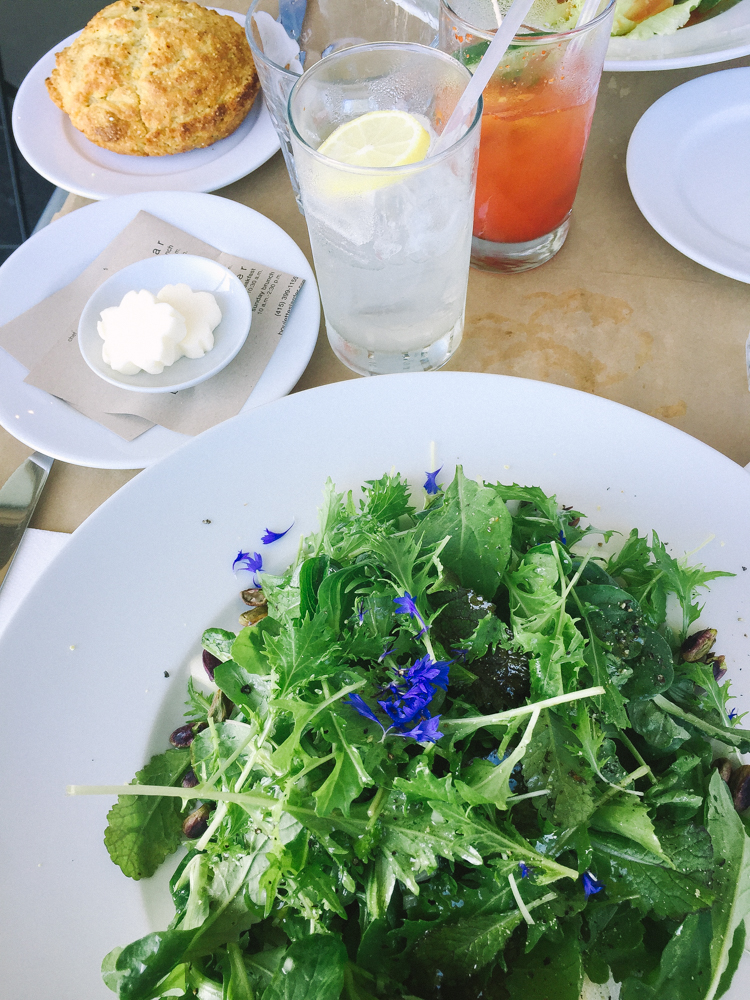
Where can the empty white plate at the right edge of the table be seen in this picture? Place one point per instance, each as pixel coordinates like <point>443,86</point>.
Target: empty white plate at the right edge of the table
<point>688,168</point>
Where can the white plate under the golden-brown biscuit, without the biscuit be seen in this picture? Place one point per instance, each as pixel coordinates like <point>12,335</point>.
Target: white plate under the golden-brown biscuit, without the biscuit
<point>63,155</point>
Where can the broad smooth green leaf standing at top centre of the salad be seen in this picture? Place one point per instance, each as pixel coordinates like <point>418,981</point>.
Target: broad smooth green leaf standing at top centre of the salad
<point>479,525</point>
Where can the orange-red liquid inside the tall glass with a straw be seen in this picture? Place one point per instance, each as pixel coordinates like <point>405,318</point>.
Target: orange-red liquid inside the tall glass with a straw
<point>530,158</point>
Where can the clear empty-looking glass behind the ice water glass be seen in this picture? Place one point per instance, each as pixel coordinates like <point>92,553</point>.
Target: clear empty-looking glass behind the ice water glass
<point>328,26</point>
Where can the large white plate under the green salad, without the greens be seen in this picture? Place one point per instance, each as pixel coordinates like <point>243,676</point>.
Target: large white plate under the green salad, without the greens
<point>84,658</point>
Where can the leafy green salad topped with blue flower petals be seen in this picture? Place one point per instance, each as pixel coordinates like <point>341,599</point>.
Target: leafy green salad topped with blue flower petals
<point>457,752</point>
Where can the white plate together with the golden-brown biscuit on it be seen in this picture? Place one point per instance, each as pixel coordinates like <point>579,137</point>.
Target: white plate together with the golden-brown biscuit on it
<point>189,116</point>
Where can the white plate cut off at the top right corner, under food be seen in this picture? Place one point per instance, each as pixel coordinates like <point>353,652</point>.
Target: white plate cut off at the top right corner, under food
<point>718,39</point>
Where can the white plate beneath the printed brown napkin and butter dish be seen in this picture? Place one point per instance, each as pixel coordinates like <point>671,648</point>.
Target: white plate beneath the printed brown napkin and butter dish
<point>58,253</point>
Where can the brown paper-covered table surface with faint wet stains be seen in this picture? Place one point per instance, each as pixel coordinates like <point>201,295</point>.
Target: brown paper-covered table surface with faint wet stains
<point>618,313</point>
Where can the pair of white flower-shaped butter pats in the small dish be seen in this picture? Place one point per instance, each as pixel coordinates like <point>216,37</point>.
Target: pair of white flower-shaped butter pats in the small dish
<point>149,332</point>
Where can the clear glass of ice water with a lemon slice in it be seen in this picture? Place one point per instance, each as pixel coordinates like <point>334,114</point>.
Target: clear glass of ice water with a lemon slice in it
<point>391,244</point>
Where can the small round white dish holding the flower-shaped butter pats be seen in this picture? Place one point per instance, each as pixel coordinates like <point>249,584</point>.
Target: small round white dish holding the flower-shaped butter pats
<point>202,275</point>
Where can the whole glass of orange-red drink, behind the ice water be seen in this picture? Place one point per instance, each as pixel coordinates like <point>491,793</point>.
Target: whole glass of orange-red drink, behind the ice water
<point>537,115</point>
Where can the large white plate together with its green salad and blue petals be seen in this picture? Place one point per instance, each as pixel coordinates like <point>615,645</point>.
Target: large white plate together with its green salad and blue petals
<point>382,833</point>
